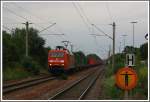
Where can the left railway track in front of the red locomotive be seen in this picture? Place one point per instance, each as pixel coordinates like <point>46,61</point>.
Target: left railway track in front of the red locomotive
<point>13,87</point>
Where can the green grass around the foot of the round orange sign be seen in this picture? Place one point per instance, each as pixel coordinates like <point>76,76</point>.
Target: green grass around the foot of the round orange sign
<point>111,91</point>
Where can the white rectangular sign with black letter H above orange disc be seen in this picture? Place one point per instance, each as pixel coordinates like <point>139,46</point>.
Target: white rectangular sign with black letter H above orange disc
<point>130,60</point>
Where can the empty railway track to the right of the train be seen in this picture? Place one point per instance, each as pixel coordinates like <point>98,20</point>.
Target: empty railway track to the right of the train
<point>79,88</point>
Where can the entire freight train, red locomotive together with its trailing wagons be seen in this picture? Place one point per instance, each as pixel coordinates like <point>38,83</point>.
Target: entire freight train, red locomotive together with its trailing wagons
<point>62,60</point>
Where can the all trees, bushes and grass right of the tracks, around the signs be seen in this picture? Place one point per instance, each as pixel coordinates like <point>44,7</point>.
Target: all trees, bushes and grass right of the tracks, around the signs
<point>111,91</point>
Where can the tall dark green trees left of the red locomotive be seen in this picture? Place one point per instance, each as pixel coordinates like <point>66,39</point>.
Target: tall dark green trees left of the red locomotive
<point>14,50</point>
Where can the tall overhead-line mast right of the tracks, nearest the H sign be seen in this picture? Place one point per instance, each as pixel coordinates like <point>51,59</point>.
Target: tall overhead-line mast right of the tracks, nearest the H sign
<point>113,57</point>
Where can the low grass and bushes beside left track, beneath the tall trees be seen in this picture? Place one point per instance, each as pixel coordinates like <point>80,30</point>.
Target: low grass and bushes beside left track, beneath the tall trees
<point>28,68</point>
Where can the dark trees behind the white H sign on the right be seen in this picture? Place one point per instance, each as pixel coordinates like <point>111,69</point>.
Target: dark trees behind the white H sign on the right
<point>141,55</point>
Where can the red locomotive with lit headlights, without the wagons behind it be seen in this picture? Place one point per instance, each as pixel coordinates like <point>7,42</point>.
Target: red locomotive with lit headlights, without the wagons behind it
<point>60,60</point>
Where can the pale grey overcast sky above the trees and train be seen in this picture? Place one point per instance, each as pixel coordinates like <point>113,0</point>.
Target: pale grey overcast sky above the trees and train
<point>74,19</point>
